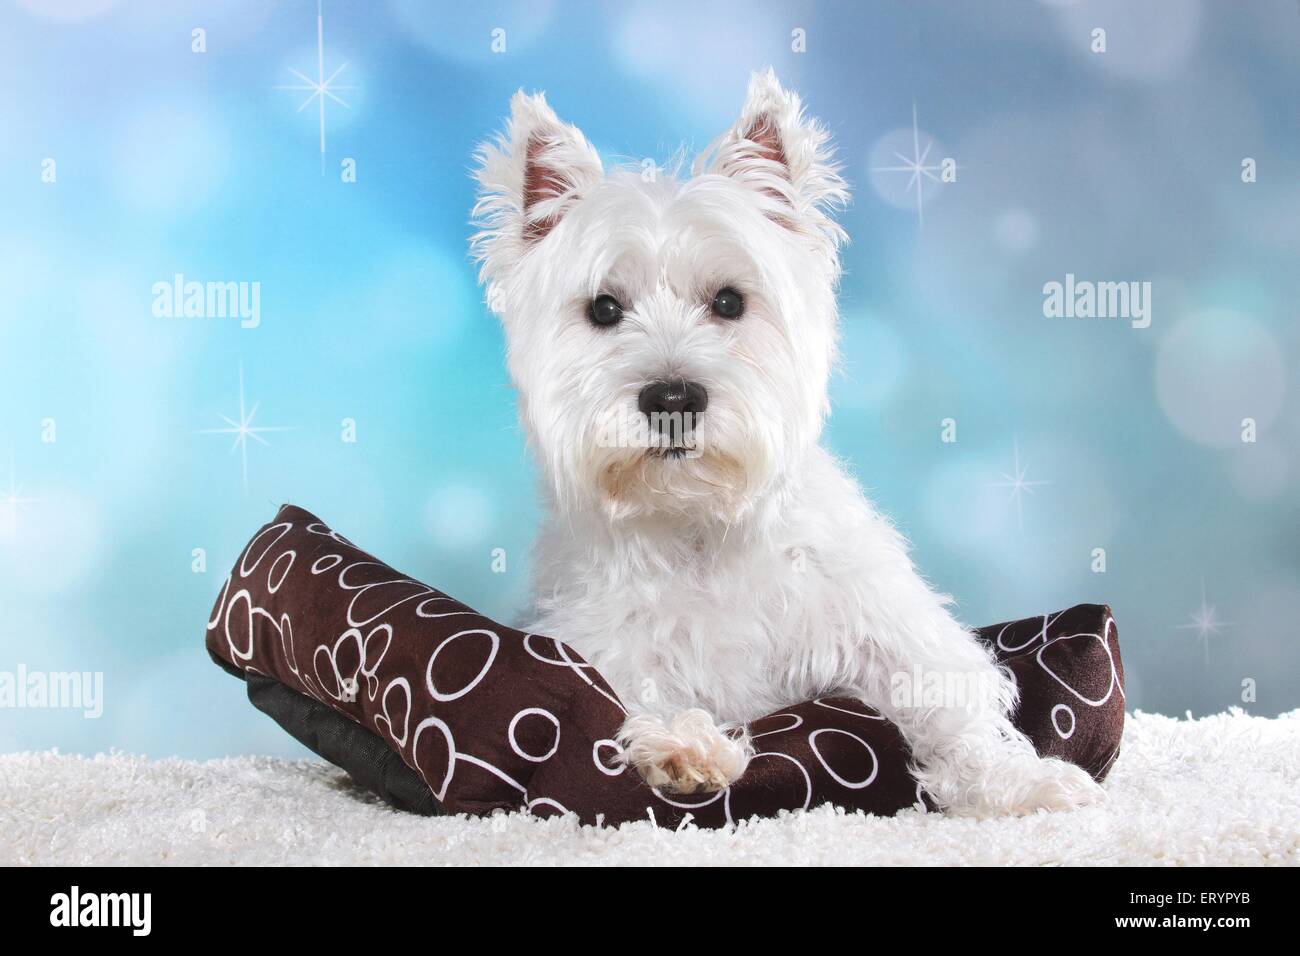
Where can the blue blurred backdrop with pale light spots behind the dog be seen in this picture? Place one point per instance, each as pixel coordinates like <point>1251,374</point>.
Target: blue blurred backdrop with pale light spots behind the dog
<point>1124,166</point>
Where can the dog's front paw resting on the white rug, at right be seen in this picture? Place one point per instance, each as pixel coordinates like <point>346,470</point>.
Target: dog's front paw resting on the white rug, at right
<point>1022,785</point>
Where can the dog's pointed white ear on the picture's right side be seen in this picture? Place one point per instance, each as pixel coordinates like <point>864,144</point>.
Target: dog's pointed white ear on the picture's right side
<point>785,157</point>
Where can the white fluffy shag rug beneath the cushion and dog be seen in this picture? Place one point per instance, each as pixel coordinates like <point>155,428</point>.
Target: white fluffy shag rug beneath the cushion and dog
<point>1219,790</point>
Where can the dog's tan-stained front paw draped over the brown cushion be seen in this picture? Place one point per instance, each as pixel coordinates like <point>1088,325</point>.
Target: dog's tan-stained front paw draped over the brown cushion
<point>691,755</point>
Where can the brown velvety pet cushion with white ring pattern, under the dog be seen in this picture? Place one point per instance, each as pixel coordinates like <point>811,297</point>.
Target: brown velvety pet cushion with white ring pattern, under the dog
<point>362,663</point>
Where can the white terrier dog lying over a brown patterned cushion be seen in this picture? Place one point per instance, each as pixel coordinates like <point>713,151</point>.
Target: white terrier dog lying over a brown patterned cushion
<point>718,564</point>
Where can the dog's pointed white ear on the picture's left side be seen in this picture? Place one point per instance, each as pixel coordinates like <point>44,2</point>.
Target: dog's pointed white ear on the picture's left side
<point>528,178</point>
